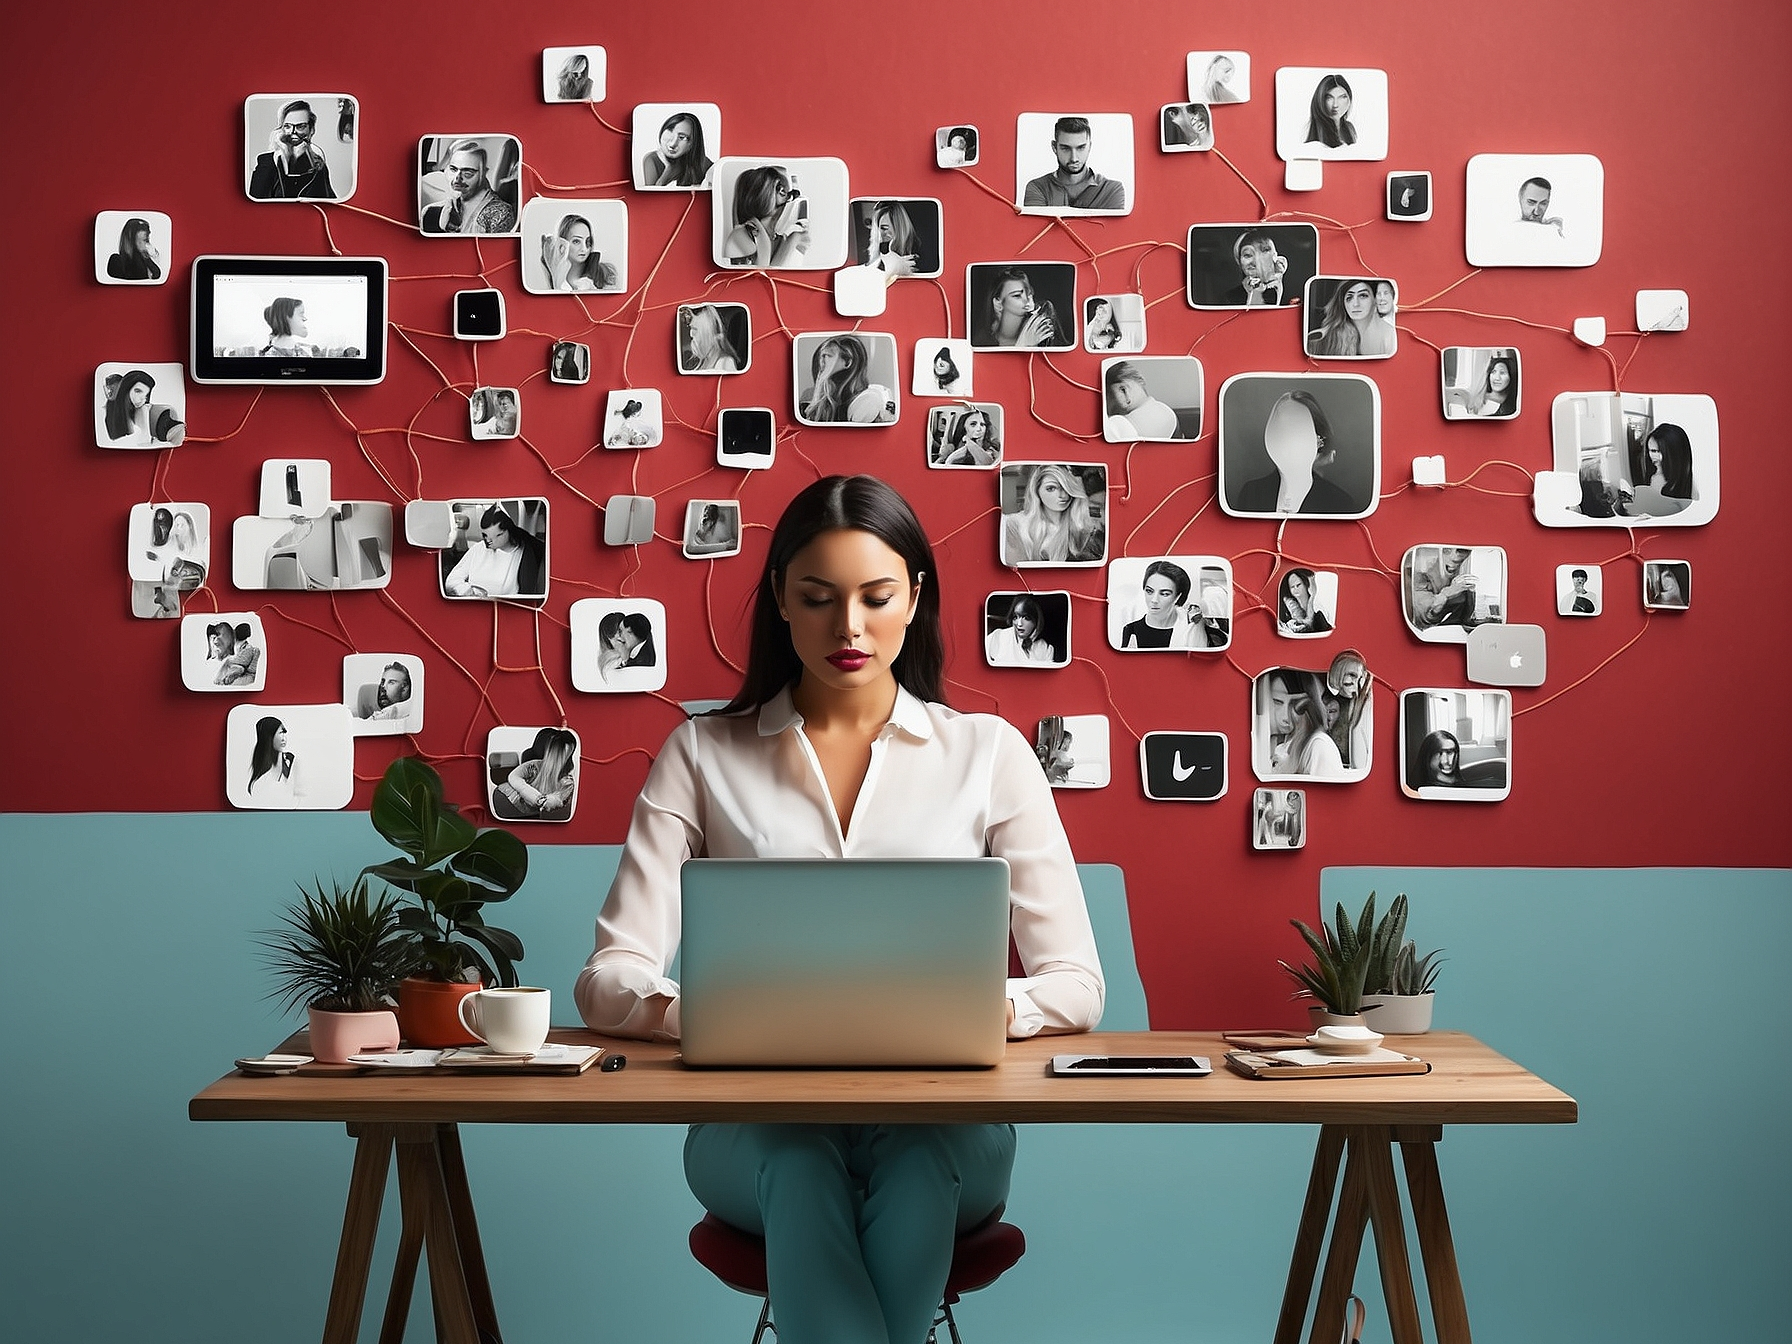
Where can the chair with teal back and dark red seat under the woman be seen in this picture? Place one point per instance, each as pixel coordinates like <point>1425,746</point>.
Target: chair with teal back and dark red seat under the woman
<point>986,1252</point>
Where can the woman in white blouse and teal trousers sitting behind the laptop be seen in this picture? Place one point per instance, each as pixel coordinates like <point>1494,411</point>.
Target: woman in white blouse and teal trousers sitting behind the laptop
<point>838,745</point>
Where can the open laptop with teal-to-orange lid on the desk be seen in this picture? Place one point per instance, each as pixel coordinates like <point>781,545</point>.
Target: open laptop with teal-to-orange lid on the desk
<point>859,963</point>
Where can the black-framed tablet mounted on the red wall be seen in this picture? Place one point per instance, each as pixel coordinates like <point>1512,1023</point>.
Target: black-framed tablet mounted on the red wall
<point>289,320</point>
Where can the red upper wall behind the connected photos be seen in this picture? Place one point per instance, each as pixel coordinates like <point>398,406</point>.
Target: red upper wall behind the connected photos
<point>1669,755</point>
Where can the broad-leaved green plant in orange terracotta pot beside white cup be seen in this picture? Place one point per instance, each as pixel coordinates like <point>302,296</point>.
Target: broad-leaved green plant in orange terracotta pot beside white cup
<point>452,870</point>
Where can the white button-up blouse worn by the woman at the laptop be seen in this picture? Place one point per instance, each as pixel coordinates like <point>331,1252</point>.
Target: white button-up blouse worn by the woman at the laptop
<point>940,786</point>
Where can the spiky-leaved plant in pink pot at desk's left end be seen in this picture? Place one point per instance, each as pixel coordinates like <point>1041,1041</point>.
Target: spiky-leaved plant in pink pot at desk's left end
<point>341,954</point>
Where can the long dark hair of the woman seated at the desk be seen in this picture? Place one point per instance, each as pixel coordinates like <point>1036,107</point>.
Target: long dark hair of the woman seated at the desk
<point>861,504</point>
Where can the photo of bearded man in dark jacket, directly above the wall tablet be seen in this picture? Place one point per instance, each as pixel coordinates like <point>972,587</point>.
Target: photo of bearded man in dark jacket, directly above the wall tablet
<point>300,146</point>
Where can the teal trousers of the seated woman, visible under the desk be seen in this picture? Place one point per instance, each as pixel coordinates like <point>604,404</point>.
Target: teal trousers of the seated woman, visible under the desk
<point>857,1219</point>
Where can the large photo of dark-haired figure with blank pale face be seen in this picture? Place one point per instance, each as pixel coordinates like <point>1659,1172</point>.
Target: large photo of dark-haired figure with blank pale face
<point>1304,445</point>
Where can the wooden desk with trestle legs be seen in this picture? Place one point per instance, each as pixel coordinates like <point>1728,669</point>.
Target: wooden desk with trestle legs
<point>1361,1124</point>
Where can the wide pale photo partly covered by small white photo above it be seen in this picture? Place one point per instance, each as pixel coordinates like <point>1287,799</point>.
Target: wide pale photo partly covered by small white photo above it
<point>349,546</point>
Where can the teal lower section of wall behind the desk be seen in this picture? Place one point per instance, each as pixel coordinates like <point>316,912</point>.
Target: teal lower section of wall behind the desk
<point>1651,995</point>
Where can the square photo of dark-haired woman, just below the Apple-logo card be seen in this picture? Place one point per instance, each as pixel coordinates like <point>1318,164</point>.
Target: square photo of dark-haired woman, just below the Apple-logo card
<point>1456,745</point>
